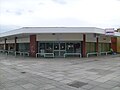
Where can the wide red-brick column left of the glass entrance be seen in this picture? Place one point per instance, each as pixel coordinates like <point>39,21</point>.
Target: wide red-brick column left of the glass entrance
<point>33,45</point>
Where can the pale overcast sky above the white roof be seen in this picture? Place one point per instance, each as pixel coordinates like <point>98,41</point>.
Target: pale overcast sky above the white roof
<point>81,13</point>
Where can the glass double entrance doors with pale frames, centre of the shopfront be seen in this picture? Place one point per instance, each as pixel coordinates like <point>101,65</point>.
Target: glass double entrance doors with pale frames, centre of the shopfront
<point>59,49</point>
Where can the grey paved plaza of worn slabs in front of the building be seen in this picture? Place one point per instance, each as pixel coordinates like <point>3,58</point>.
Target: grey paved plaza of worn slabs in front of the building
<point>94,73</point>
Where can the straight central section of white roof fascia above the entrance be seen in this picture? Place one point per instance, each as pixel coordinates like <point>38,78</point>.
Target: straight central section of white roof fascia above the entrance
<point>59,30</point>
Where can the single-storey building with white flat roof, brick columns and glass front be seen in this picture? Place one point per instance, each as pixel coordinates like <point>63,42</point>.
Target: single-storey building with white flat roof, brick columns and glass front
<point>57,41</point>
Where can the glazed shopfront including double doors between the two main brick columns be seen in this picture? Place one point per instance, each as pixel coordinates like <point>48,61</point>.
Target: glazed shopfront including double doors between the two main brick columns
<point>59,48</point>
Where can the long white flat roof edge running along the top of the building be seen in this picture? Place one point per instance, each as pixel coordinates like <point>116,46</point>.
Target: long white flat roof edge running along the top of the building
<point>38,30</point>
